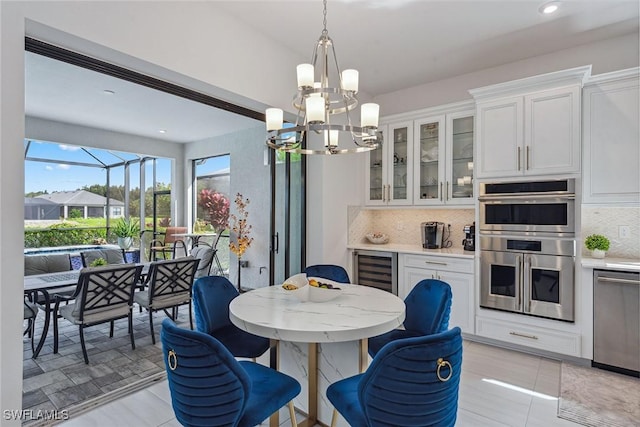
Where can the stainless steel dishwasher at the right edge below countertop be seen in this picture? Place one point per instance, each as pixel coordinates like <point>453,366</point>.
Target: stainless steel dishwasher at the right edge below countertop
<point>616,321</point>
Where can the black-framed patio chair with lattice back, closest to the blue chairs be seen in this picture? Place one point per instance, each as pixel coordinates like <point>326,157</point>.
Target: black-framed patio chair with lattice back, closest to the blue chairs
<point>169,286</point>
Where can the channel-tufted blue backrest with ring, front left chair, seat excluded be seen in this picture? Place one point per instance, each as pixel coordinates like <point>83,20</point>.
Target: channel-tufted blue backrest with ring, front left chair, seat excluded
<point>208,386</point>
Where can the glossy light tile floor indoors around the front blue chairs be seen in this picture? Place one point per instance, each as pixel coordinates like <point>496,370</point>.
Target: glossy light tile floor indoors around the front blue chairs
<point>522,391</point>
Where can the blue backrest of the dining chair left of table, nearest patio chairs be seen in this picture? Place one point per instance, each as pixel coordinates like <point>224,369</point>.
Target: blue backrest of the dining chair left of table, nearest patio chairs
<point>211,298</point>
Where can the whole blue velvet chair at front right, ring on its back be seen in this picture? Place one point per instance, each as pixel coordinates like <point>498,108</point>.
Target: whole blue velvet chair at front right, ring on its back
<point>411,382</point>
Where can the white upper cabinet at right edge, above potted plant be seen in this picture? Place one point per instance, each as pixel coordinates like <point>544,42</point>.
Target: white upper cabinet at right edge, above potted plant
<point>611,138</point>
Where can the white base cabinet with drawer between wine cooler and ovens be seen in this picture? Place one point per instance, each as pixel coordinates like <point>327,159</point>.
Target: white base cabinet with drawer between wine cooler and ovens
<point>456,271</point>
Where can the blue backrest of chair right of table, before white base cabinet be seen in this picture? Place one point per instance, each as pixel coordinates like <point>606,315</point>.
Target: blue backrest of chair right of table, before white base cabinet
<point>428,307</point>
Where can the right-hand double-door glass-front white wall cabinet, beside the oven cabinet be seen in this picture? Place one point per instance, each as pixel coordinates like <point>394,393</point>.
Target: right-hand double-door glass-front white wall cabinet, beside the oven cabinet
<point>443,156</point>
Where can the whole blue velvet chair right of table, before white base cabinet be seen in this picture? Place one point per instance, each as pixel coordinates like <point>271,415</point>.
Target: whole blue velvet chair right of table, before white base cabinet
<point>428,307</point>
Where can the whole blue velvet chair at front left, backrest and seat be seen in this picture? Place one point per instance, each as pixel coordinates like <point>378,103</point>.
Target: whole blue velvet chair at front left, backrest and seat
<point>209,387</point>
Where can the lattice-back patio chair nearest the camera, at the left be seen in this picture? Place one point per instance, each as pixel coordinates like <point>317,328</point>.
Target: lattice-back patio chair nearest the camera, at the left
<point>104,294</point>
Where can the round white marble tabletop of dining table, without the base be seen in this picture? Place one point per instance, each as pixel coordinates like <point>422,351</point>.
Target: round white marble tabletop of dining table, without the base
<point>359,312</point>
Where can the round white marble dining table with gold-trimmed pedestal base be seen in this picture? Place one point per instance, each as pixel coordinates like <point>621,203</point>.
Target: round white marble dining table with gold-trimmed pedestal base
<point>341,326</point>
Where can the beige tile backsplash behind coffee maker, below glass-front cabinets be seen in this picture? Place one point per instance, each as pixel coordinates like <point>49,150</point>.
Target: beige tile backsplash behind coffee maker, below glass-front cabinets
<point>403,225</point>
